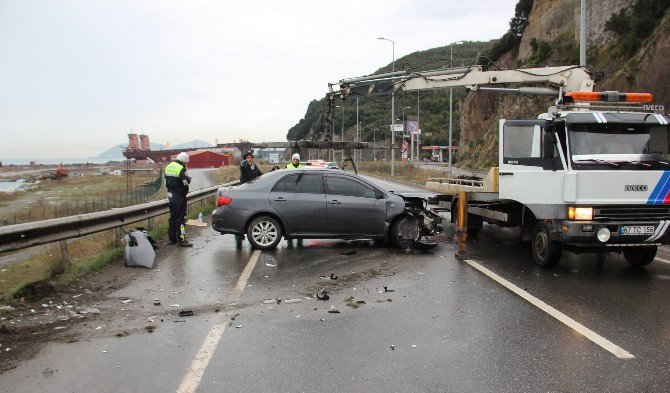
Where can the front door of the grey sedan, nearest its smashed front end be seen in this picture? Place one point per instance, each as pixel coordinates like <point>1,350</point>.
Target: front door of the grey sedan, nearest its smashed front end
<point>352,207</point>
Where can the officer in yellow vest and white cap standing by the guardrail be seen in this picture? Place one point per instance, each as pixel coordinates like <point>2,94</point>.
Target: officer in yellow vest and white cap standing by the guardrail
<point>177,182</point>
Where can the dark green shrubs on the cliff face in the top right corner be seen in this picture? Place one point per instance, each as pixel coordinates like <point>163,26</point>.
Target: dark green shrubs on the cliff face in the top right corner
<point>634,25</point>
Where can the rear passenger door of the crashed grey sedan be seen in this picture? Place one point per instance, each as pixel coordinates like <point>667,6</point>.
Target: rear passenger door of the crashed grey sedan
<point>300,202</point>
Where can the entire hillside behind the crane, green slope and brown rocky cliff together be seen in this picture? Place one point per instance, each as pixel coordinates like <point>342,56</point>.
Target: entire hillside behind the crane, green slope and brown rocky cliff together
<point>627,41</point>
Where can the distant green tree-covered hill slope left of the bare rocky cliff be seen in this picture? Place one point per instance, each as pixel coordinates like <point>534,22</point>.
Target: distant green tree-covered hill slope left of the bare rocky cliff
<point>374,114</point>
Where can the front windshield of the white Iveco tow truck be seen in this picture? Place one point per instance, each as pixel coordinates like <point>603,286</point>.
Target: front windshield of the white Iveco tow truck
<point>611,144</point>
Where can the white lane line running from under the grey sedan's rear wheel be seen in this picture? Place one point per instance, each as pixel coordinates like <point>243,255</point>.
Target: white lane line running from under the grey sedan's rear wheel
<point>194,374</point>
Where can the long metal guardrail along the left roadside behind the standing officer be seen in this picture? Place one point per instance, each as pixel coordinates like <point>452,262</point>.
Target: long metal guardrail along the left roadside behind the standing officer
<point>20,236</point>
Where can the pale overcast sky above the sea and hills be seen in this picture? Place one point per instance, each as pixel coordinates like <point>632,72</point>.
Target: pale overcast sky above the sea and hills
<point>77,76</point>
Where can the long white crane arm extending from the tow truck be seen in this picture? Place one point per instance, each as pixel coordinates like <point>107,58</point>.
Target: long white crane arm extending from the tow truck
<point>566,78</point>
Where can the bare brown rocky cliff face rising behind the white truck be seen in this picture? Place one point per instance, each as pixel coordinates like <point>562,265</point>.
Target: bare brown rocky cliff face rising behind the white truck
<point>552,38</point>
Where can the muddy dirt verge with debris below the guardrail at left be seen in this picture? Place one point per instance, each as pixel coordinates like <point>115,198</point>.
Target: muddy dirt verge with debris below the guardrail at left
<point>47,314</point>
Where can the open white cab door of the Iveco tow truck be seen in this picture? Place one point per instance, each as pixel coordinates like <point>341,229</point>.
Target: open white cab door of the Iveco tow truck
<point>531,166</point>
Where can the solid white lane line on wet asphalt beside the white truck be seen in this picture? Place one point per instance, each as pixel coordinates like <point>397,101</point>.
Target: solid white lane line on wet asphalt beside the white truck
<point>578,327</point>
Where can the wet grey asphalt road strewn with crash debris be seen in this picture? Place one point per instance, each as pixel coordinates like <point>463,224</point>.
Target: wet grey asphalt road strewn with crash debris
<point>428,323</point>
